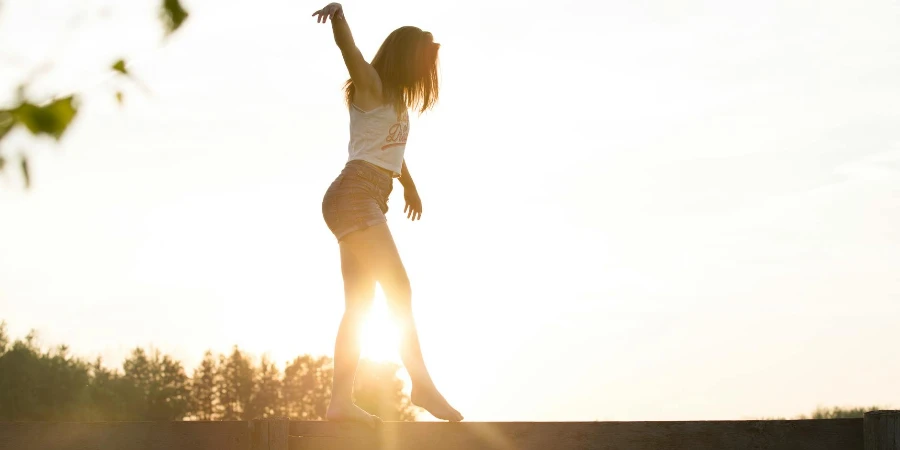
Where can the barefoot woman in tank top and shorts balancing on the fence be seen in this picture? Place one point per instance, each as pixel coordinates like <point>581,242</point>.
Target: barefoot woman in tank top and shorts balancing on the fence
<point>402,75</point>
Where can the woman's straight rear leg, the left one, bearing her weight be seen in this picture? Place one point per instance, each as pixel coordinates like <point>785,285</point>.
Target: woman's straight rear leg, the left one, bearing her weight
<point>359,291</point>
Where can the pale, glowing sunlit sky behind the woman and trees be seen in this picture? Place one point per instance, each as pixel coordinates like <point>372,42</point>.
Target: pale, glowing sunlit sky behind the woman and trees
<point>632,210</point>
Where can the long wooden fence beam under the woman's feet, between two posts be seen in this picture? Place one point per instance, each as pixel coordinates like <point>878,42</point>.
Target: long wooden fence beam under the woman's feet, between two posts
<point>832,434</point>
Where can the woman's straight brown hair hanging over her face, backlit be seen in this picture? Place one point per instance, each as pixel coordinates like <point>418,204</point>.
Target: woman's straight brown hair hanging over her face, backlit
<point>407,64</point>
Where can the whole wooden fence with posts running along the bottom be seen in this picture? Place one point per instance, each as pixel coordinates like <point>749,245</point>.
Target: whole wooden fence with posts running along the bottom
<point>879,430</point>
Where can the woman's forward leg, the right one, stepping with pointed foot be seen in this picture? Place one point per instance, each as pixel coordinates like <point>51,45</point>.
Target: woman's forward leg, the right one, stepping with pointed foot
<point>375,248</point>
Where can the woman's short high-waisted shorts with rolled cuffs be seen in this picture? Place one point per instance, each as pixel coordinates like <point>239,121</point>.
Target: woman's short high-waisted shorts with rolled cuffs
<point>357,198</point>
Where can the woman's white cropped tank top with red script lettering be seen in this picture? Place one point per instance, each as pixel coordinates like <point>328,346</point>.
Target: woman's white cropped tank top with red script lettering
<point>378,136</point>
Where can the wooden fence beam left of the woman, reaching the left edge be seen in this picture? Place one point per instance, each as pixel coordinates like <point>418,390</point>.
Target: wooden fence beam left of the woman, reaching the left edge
<point>125,436</point>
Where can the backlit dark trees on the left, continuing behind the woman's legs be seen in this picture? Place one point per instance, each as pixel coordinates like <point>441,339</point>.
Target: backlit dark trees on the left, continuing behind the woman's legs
<point>53,385</point>
